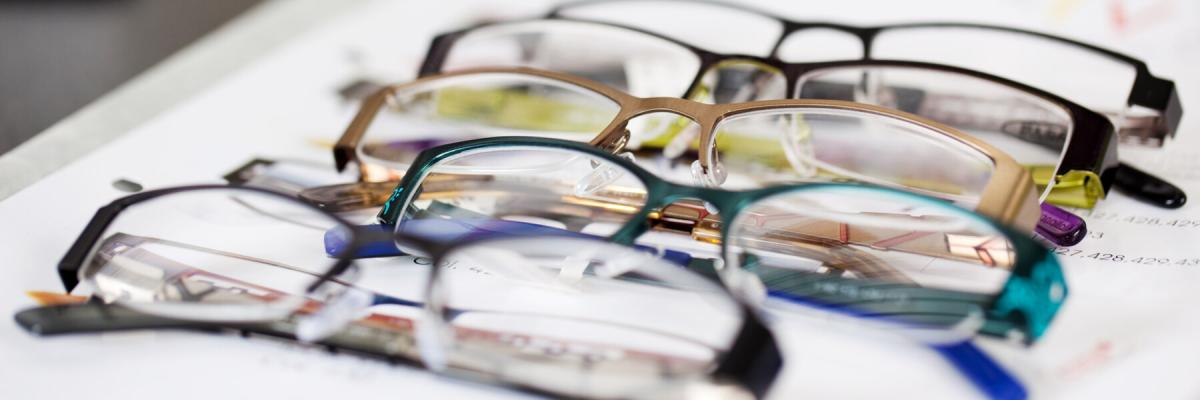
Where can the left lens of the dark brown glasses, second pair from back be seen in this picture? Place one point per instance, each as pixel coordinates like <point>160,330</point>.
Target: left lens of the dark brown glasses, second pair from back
<point>643,65</point>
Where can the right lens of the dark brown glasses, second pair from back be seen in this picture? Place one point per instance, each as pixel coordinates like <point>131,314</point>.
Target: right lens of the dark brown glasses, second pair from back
<point>1030,129</point>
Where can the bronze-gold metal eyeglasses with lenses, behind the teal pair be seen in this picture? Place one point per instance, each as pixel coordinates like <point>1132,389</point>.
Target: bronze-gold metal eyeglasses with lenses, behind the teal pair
<point>800,140</point>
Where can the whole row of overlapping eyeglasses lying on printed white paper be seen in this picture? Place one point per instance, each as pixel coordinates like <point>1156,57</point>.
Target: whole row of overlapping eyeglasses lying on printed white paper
<point>585,206</point>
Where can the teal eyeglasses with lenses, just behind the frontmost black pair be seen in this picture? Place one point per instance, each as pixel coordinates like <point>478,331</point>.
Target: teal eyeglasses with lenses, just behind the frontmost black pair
<point>845,246</point>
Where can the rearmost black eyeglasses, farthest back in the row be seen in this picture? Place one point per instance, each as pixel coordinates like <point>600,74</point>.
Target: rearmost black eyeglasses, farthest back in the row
<point>1147,108</point>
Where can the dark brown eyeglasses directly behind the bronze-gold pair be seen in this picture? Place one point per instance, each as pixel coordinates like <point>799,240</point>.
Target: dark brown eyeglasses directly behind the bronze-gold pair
<point>1071,150</point>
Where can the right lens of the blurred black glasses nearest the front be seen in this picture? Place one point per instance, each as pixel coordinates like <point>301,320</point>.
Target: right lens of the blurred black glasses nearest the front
<point>580,317</point>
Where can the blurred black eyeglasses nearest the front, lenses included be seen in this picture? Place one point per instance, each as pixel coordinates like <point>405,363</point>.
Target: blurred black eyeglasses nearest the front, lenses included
<point>254,260</point>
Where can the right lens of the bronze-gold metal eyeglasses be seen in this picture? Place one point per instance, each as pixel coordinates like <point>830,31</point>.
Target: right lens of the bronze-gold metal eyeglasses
<point>803,145</point>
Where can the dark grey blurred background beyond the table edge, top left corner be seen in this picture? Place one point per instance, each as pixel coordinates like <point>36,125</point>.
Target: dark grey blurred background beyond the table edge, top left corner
<point>58,56</point>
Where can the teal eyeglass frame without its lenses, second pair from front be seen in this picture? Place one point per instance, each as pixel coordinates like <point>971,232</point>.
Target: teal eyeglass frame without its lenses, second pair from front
<point>1024,307</point>
